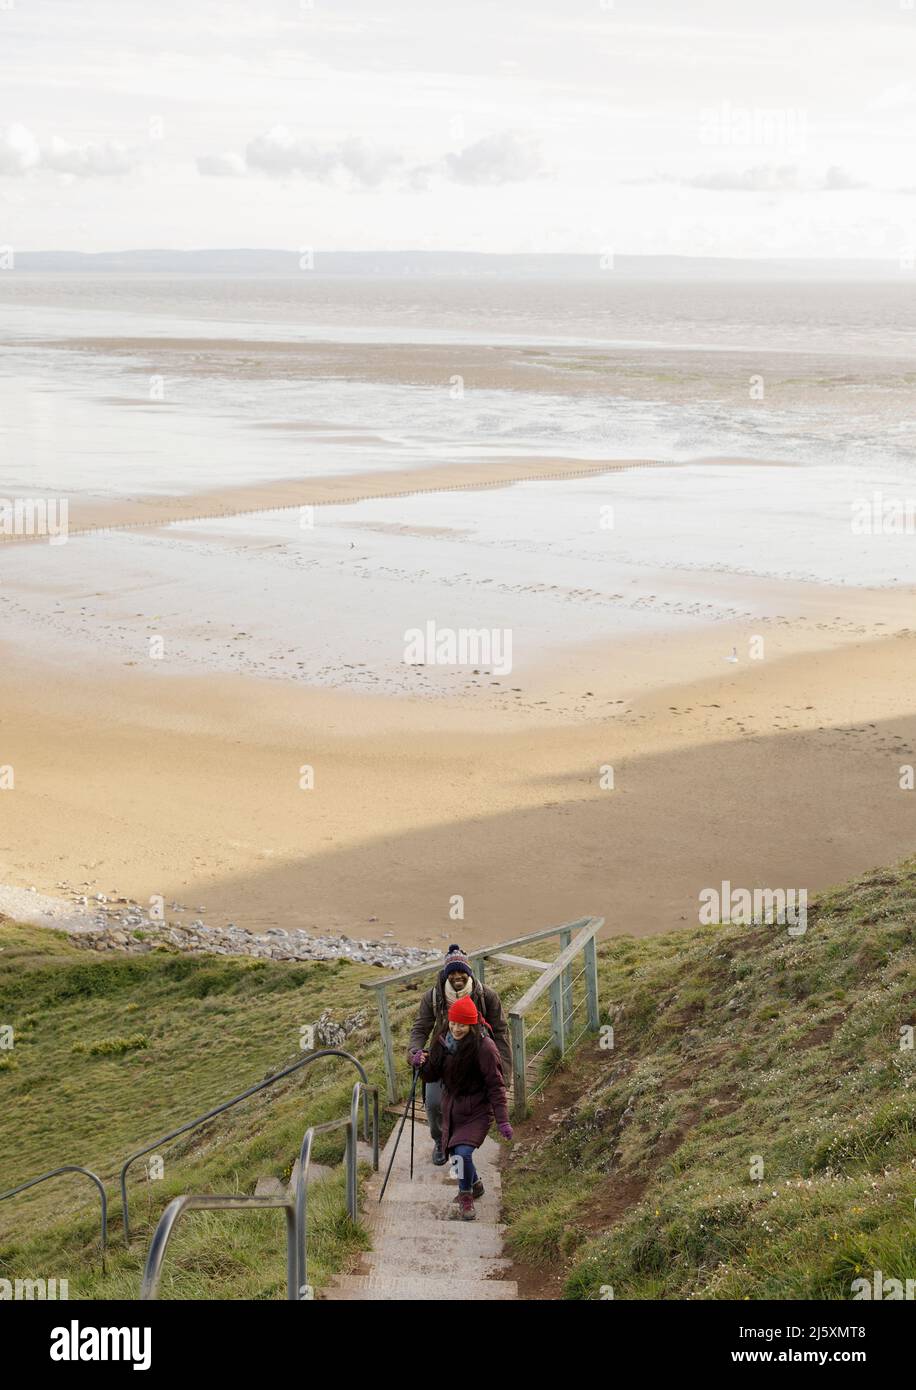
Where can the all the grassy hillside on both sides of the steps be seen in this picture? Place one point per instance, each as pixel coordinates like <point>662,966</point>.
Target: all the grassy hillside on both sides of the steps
<point>639,1171</point>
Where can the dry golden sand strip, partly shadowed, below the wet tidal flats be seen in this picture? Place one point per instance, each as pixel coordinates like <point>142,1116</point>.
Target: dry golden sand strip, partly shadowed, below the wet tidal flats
<point>782,772</point>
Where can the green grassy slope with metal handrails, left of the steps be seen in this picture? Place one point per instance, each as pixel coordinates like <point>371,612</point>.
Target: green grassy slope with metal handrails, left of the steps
<point>112,1052</point>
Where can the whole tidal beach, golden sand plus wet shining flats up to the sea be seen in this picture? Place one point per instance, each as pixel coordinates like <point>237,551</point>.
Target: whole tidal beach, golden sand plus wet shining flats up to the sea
<point>248,554</point>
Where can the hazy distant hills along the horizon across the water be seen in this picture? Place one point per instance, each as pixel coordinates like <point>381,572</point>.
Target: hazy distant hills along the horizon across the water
<point>395,265</point>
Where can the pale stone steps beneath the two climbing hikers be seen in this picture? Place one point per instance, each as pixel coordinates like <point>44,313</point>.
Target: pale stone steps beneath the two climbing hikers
<point>418,1253</point>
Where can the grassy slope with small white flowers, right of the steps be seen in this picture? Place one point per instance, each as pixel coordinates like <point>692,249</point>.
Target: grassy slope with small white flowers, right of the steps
<point>735,1047</point>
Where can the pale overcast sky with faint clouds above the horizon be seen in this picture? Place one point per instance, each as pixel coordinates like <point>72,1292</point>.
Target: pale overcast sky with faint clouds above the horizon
<point>600,127</point>
